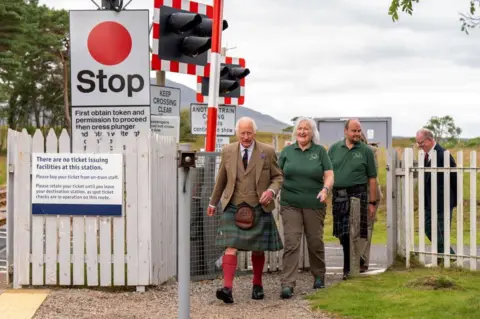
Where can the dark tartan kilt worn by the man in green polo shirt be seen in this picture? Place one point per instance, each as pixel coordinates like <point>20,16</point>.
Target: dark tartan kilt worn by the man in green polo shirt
<point>341,221</point>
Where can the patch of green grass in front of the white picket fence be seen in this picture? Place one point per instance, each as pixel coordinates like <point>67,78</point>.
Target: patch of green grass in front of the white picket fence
<point>415,293</point>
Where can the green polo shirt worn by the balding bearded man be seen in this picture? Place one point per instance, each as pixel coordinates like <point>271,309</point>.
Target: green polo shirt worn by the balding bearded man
<point>352,166</point>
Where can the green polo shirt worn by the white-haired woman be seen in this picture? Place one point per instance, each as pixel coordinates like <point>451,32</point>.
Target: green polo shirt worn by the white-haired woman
<point>303,175</point>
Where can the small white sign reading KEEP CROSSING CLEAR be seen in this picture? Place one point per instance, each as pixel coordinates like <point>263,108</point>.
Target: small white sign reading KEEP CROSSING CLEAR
<point>165,101</point>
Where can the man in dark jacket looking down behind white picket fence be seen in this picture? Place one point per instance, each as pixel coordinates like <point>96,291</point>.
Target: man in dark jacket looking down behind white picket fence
<point>425,140</point>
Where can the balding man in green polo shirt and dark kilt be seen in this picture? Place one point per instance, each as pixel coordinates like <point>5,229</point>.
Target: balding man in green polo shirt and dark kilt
<point>355,173</point>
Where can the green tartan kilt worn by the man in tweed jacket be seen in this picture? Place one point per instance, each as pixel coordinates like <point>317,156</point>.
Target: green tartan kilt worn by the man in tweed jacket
<point>264,236</point>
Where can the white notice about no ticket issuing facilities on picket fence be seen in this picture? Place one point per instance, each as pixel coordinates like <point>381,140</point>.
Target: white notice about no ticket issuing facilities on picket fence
<point>77,184</point>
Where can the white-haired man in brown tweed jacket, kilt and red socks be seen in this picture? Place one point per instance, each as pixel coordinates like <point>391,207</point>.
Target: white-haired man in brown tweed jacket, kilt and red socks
<point>248,176</point>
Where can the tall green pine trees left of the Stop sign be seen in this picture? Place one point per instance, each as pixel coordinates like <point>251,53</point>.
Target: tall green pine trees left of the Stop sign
<point>36,84</point>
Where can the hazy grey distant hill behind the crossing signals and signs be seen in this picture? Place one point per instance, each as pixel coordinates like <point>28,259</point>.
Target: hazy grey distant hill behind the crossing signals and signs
<point>265,123</point>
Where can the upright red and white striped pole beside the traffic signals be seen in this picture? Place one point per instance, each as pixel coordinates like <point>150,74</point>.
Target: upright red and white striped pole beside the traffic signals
<point>214,84</point>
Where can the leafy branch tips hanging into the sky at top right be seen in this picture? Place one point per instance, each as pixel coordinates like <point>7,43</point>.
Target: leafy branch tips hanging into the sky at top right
<point>469,20</point>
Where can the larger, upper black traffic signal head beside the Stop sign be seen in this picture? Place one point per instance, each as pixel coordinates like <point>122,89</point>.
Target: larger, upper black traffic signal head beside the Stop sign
<point>184,36</point>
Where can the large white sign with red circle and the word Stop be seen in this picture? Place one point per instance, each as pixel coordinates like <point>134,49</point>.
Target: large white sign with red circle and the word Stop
<point>110,58</point>
